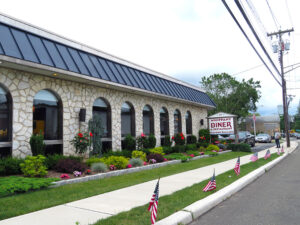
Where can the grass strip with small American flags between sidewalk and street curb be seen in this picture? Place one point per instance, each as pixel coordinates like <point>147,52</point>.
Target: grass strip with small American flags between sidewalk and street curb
<point>172,203</point>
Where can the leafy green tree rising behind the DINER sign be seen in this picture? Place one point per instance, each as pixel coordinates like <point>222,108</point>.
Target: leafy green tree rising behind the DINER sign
<point>230,95</point>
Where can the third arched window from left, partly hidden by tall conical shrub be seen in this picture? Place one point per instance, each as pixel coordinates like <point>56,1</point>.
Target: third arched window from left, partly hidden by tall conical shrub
<point>102,108</point>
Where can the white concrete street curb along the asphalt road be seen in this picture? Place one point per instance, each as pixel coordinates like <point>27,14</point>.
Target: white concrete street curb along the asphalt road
<point>195,210</point>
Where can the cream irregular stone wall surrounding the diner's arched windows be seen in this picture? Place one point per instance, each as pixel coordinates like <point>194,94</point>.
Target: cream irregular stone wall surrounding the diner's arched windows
<point>23,86</point>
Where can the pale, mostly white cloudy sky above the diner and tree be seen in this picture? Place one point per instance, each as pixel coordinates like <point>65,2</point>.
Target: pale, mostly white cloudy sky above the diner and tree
<point>186,39</point>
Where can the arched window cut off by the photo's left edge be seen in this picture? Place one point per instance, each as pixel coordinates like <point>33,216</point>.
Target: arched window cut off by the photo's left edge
<point>5,122</point>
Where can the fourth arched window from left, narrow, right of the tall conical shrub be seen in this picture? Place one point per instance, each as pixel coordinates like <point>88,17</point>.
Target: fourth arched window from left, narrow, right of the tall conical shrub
<point>127,120</point>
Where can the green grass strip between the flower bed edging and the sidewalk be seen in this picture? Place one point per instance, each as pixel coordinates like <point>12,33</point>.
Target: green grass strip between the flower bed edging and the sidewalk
<point>32,201</point>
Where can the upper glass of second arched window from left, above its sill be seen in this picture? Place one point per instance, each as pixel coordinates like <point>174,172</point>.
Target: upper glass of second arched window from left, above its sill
<point>46,115</point>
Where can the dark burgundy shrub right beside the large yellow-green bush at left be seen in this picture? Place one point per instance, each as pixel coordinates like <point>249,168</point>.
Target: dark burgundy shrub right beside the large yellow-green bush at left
<point>69,166</point>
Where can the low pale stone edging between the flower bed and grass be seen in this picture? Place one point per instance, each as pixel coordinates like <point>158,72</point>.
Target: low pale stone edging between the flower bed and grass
<point>124,171</point>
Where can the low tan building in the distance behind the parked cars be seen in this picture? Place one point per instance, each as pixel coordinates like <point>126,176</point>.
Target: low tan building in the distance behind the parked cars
<point>263,124</point>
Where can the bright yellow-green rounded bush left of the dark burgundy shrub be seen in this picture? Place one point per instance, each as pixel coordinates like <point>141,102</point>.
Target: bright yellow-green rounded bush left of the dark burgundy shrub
<point>33,166</point>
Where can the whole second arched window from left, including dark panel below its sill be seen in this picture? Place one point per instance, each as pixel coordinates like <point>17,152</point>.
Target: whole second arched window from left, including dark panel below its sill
<point>47,119</point>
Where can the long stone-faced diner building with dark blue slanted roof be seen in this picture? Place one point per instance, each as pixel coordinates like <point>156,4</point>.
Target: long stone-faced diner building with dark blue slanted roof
<point>54,85</point>
